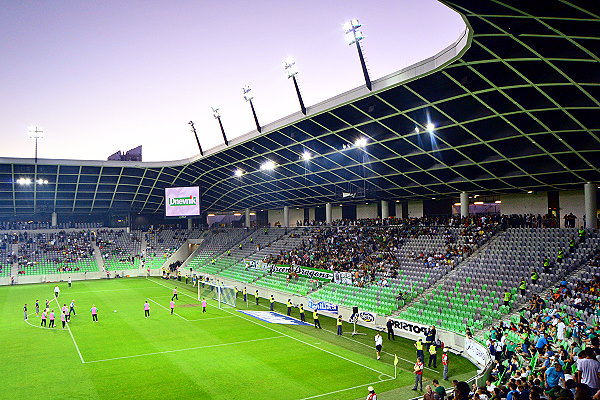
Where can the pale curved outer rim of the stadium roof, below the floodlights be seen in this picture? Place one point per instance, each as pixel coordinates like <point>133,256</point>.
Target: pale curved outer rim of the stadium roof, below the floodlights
<point>415,71</point>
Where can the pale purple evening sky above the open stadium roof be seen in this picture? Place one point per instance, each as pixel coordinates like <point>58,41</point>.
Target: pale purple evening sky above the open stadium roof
<point>99,77</point>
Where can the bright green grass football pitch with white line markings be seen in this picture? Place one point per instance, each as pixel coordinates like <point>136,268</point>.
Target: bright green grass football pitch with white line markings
<point>222,354</point>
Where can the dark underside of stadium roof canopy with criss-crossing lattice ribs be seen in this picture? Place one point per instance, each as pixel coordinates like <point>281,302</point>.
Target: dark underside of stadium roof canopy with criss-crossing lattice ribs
<point>515,105</point>
